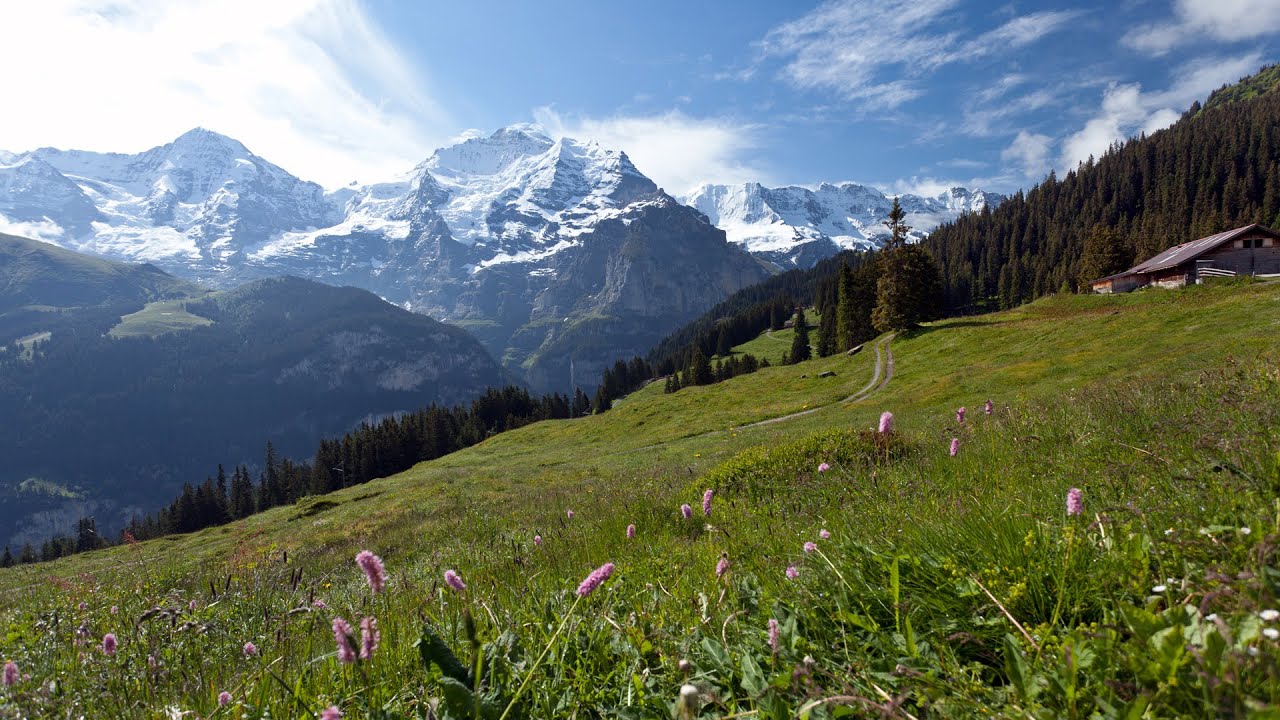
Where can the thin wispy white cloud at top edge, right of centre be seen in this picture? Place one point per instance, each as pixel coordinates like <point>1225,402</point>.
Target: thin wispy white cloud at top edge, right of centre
<point>848,45</point>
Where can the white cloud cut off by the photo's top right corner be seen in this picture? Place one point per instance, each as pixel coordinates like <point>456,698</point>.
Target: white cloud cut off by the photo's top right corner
<point>1220,20</point>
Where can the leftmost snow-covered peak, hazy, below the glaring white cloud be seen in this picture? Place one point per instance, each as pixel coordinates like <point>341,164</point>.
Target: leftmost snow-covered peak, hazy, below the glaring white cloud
<point>194,206</point>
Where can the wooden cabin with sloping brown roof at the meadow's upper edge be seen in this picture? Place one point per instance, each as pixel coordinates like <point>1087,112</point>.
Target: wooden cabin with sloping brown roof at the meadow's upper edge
<point>1252,250</point>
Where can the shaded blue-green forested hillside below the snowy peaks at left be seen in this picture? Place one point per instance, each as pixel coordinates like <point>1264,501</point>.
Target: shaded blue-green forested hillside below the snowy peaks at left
<point>111,417</point>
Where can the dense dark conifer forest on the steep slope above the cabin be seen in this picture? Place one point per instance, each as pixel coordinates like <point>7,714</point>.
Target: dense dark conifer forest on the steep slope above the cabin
<point>1215,170</point>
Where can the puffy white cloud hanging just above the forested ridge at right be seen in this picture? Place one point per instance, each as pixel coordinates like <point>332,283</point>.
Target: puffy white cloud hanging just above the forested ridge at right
<point>1128,111</point>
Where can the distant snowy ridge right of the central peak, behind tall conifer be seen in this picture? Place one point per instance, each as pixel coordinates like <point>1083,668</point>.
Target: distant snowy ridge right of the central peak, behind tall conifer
<point>797,226</point>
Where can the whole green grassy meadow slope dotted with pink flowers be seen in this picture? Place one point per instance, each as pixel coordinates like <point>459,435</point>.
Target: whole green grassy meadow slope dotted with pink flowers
<point>1162,407</point>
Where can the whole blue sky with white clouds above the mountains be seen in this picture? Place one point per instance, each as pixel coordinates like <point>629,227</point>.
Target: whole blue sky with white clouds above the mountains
<point>906,95</point>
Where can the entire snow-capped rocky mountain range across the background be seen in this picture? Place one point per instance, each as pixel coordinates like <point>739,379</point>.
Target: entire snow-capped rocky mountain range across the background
<point>559,256</point>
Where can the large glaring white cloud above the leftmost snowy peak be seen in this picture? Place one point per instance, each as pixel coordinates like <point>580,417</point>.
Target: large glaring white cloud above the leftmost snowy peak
<point>312,85</point>
